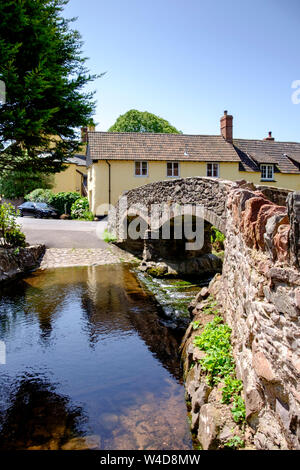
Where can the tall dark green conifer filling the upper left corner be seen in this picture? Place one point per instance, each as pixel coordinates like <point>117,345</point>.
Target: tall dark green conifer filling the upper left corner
<point>44,73</point>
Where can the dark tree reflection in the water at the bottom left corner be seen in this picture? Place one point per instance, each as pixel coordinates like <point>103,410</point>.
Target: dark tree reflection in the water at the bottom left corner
<point>38,417</point>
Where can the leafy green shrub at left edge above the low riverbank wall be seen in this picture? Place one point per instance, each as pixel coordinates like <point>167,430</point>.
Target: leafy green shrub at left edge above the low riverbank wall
<point>10,232</point>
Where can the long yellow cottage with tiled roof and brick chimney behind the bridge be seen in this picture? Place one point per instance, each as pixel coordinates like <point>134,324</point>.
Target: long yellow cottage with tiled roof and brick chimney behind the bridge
<point>118,162</point>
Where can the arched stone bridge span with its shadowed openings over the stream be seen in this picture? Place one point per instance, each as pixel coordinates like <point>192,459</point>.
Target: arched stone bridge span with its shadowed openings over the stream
<point>159,203</point>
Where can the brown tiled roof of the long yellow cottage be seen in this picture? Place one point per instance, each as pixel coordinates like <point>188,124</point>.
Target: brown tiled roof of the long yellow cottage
<point>147,146</point>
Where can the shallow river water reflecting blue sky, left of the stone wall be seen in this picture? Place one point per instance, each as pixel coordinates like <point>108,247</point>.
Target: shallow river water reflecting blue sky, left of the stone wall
<point>87,356</point>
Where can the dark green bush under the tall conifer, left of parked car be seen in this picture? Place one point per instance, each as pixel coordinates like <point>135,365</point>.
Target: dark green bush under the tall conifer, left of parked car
<point>15,184</point>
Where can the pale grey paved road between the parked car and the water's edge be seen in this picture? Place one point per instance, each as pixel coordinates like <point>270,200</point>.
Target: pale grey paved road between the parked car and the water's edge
<point>63,233</point>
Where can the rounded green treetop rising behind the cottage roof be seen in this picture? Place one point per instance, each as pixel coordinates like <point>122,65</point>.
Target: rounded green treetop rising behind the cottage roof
<point>142,121</point>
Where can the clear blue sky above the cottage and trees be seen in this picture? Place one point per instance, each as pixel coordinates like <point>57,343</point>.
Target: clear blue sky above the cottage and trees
<point>188,60</point>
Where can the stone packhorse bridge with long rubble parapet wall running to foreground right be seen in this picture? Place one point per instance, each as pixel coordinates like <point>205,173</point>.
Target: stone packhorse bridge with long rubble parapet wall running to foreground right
<point>259,291</point>
